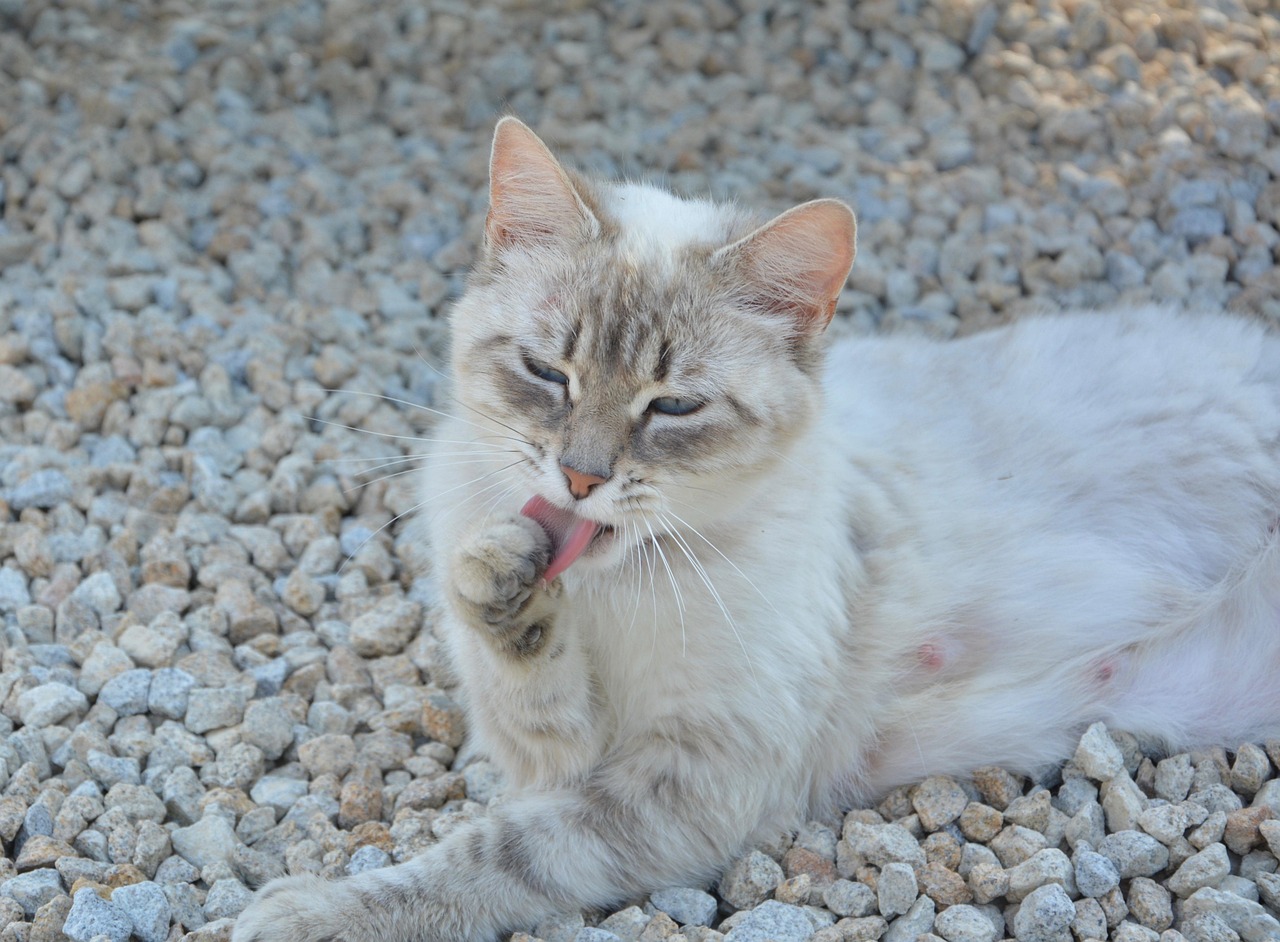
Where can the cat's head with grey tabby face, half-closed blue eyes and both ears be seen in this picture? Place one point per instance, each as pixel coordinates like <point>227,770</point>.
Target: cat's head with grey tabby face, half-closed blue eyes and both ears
<point>657,358</point>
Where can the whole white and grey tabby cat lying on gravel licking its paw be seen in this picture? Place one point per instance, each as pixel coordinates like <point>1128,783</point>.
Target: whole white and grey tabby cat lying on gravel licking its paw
<point>787,582</point>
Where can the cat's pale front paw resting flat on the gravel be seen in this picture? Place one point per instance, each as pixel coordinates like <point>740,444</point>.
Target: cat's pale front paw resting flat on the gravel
<point>305,909</point>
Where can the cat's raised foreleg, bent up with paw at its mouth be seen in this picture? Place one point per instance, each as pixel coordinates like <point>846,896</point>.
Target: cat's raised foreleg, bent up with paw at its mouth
<point>528,679</point>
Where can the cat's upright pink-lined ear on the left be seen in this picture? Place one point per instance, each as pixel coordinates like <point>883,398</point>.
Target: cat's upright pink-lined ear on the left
<point>532,200</point>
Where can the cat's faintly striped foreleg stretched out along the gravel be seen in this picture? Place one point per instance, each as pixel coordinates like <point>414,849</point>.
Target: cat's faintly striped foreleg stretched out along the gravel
<point>669,812</point>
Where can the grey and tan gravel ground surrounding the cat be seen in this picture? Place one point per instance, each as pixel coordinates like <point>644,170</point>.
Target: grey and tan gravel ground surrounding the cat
<point>214,214</point>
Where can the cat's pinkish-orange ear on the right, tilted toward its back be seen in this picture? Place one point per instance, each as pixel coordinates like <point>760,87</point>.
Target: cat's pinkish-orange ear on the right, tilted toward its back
<point>798,263</point>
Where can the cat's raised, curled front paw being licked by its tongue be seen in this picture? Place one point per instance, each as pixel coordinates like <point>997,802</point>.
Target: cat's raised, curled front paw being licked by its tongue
<point>496,577</point>
